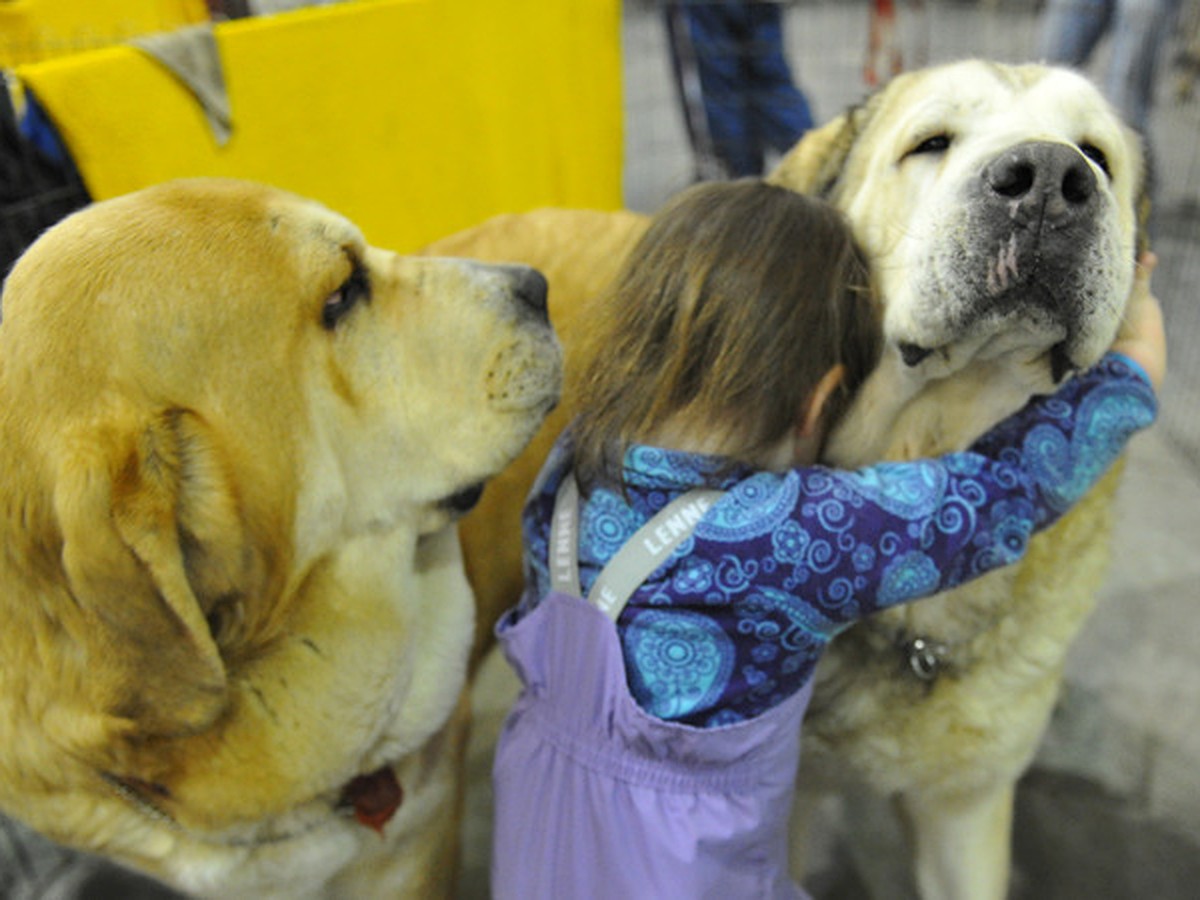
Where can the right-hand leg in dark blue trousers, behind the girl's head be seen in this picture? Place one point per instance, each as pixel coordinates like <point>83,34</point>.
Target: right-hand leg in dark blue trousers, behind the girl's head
<point>779,111</point>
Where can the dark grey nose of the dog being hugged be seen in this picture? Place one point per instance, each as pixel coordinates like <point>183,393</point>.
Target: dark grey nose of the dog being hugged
<point>1054,178</point>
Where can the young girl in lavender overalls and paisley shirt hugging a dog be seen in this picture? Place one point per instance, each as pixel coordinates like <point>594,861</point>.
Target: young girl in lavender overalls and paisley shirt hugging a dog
<point>655,748</point>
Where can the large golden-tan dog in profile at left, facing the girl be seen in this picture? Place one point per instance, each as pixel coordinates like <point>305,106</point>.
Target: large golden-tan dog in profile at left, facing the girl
<point>233,443</point>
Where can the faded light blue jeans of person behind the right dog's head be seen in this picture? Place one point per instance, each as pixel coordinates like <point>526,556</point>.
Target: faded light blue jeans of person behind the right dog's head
<point>1071,31</point>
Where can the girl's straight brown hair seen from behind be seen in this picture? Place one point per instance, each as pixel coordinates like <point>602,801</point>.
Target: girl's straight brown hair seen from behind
<point>731,308</point>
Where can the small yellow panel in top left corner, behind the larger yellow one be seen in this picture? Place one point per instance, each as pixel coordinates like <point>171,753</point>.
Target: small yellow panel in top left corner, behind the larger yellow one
<point>33,31</point>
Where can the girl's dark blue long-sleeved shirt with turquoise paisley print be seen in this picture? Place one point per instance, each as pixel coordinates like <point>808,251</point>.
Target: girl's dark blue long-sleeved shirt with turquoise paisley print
<point>737,620</point>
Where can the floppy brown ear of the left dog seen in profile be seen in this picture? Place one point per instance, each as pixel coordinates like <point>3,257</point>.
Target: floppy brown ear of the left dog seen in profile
<point>128,505</point>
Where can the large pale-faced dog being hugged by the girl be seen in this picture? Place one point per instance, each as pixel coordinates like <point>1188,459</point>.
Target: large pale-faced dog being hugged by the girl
<point>999,207</point>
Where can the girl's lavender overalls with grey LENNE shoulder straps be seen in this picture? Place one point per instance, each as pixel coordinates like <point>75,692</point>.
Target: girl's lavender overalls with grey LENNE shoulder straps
<point>601,776</point>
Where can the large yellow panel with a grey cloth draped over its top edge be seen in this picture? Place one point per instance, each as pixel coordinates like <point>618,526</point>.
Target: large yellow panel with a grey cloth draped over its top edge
<point>415,118</point>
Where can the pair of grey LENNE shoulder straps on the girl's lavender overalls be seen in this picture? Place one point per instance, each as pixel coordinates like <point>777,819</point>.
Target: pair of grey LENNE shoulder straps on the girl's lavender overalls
<point>649,549</point>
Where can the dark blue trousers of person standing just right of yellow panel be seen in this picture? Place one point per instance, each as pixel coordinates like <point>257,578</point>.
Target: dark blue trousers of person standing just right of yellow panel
<point>737,89</point>
